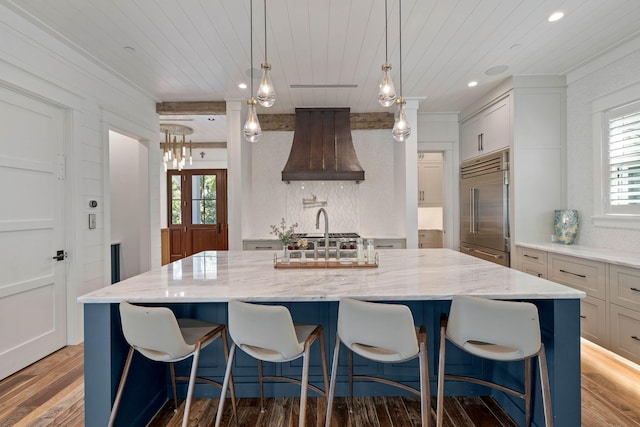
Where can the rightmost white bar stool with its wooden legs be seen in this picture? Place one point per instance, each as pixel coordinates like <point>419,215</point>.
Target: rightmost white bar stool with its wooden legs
<point>495,330</point>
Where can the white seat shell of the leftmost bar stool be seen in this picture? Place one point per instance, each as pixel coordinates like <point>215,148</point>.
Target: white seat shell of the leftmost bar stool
<point>154,332</point>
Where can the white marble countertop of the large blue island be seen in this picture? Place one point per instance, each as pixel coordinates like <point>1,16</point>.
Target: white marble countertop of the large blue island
<point>402,275</point>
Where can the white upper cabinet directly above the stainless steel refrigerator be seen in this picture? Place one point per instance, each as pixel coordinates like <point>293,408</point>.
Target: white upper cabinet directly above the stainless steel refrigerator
<point>487,131</point>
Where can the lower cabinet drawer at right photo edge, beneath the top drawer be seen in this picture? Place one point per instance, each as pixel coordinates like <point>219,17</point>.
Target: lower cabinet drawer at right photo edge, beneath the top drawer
<point>625,332</point>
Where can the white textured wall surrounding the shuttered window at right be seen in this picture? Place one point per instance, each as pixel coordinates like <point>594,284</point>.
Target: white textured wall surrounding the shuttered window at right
<point>615,71</point>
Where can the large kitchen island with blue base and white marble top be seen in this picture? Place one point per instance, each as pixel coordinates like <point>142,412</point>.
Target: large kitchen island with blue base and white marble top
<point>425,280</point>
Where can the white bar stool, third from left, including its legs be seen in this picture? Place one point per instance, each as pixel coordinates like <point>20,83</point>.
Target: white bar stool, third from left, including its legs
<point>383,333</point>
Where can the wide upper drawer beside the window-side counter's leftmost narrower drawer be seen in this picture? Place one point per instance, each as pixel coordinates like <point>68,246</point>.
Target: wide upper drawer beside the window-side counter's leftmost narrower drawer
<point>579,273</point>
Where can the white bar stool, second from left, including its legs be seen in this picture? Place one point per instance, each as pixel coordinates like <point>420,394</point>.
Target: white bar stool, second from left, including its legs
<point>267,333</point>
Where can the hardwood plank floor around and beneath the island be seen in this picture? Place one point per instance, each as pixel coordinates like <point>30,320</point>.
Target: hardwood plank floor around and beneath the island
<point>50,393</point>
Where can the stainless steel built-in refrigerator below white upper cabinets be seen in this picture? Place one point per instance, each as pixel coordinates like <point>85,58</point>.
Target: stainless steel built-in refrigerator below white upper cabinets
<point>484,207</point>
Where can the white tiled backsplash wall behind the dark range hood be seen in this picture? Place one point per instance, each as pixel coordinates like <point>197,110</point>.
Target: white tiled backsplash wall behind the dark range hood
<point>369,208</point>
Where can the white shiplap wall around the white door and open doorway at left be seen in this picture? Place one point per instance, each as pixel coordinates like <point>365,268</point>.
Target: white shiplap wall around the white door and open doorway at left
<point>34,62</point>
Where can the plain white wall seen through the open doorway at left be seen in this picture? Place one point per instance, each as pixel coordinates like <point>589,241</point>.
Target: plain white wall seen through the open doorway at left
<point>129,195</point>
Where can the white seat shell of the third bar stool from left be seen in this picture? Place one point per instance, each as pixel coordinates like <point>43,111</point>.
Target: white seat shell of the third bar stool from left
<point>381,332</point>
